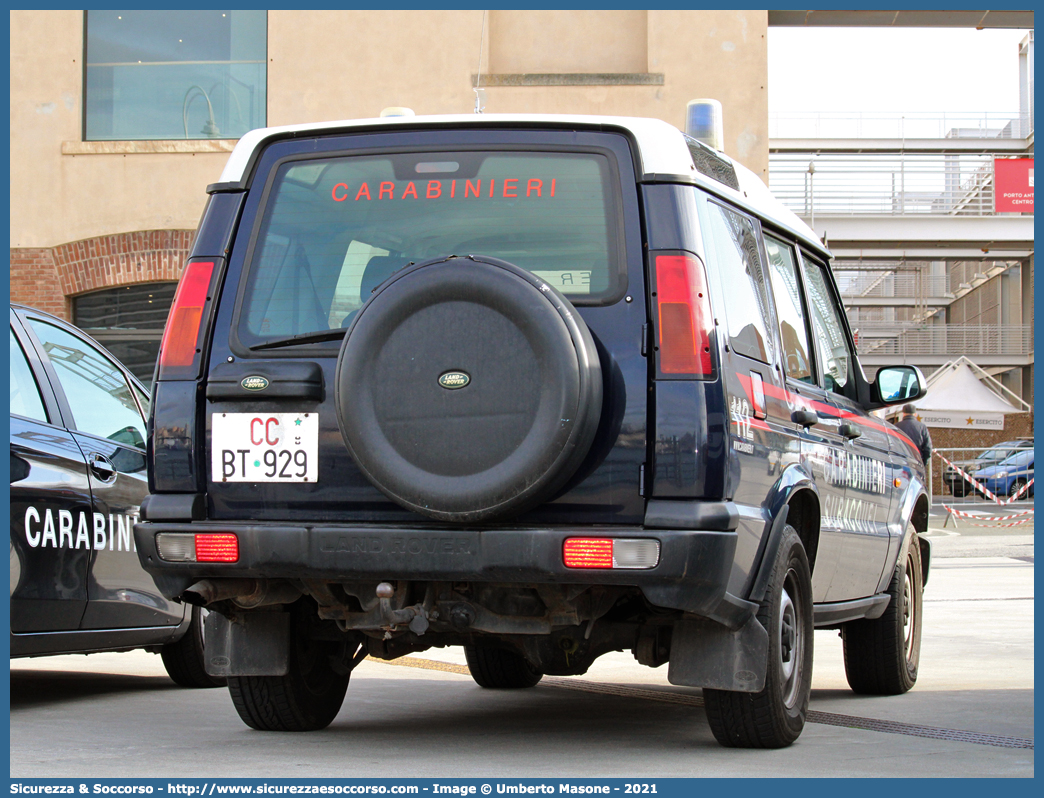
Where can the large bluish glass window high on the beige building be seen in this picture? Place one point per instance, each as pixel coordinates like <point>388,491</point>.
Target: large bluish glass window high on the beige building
<point>177,75</point>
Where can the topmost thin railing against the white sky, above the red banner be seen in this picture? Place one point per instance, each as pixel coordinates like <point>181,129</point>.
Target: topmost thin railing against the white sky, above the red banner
<point>790,125</point>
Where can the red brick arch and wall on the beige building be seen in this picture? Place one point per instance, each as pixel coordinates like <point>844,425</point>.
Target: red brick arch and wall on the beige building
<point>46,278</point>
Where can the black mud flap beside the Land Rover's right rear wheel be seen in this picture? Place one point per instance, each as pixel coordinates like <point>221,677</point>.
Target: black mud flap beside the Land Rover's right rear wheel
<point>705,654</point>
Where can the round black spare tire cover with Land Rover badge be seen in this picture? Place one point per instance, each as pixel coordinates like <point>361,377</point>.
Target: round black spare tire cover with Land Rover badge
<point>467,389</point>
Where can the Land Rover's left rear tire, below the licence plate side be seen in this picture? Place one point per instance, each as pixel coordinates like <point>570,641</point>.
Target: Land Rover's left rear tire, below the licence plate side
<point>306,699</point>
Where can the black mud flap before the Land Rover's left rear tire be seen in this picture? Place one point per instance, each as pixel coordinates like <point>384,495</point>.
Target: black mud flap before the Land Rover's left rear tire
<point>258,644</point>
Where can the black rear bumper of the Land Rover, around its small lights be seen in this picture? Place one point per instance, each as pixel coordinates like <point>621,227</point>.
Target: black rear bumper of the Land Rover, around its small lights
<point>692,575</point>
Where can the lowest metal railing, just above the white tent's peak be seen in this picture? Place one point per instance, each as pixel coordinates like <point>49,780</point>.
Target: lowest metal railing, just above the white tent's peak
<point>948,340</point>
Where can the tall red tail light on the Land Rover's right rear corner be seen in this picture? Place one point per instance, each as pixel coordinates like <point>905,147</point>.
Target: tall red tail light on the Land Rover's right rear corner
<point>684,320</point>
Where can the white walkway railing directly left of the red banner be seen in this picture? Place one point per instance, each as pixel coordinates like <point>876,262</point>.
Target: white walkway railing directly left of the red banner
<point>871,184</point>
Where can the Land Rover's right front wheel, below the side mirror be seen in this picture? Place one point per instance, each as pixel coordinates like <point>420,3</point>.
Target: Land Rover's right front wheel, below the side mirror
<point>882,655</point>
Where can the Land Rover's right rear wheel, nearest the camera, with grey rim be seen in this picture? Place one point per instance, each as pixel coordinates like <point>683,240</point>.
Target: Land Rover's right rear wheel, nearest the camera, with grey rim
<point>775,717</point>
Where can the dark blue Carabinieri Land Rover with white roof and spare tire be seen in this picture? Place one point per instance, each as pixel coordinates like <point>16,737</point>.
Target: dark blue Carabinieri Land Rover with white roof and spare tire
<point>544,388</point>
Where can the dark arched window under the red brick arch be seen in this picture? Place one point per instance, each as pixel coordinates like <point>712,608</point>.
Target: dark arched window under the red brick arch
<point>129,322</point>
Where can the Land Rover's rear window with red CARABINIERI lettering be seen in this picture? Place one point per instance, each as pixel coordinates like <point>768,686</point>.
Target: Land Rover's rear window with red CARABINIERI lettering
<point>336,229</point>
